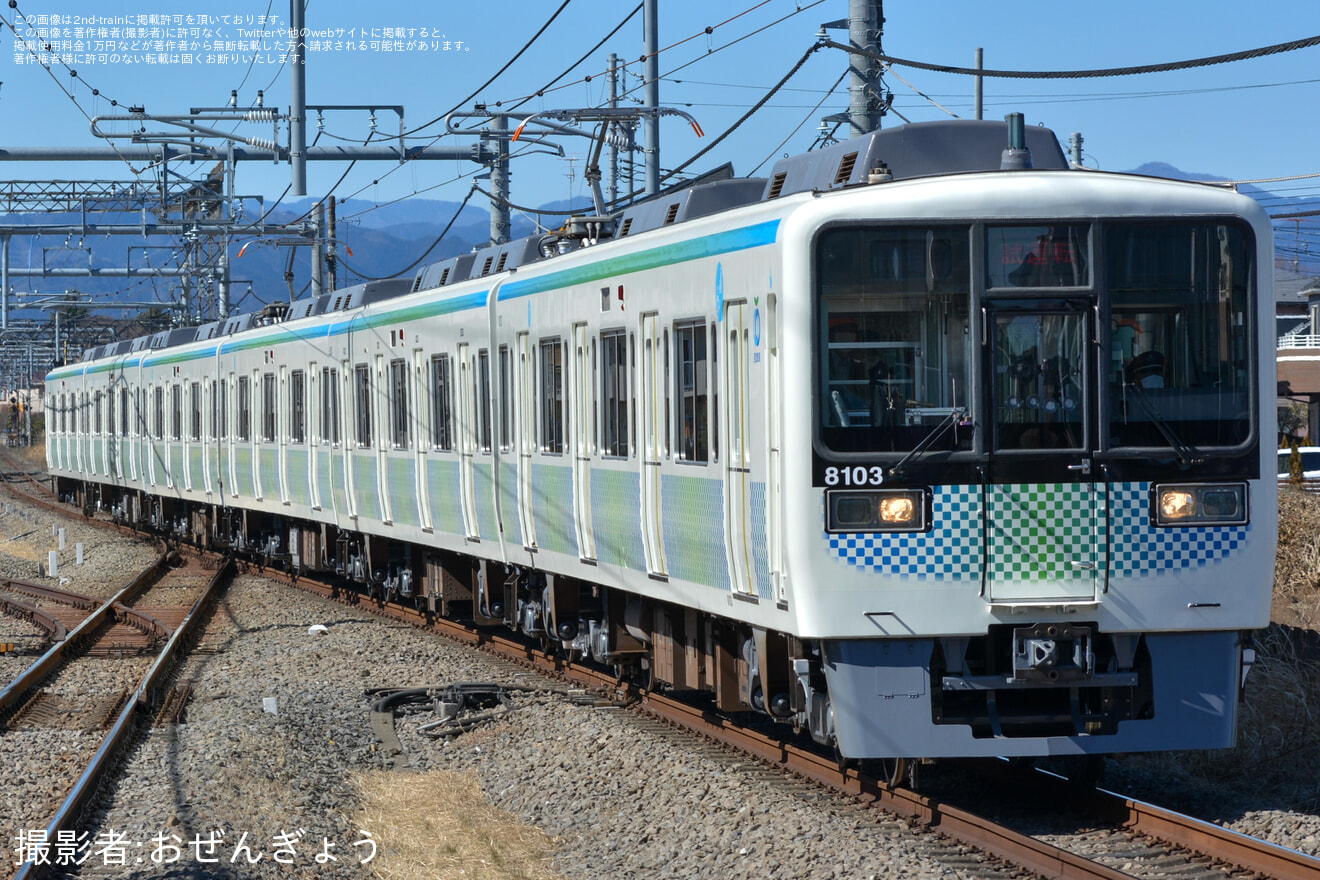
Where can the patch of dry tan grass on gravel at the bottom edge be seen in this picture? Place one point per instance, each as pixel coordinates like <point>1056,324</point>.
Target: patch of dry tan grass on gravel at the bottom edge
<point>440,825</point>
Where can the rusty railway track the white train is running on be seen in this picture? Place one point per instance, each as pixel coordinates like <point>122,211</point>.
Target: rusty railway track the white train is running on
<point>1124,837</point>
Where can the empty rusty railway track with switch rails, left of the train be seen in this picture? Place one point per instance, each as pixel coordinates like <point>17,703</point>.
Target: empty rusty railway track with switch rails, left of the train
<point>101,684</point>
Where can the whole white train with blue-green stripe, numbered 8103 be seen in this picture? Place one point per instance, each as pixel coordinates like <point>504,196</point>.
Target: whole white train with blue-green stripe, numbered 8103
<point>926,447</point>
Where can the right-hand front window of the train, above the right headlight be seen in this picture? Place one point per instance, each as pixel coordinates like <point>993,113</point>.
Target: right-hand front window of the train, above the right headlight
<point>1181,336</point>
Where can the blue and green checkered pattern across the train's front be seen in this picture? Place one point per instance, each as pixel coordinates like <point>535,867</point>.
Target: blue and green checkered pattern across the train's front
<point>1038,532</point>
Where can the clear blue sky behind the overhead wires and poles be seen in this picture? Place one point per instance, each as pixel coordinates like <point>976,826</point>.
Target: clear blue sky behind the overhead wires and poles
<point>1245,121</point>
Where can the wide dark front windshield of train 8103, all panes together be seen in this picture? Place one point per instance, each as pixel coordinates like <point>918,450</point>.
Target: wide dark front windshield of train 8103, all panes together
<point>1166,374</point>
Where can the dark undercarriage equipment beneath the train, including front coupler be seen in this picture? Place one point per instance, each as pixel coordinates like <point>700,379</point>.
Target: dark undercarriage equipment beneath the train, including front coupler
<point>1013,684</point>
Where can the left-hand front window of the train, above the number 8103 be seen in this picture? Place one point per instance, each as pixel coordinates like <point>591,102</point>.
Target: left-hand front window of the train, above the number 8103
<point>893,338</point>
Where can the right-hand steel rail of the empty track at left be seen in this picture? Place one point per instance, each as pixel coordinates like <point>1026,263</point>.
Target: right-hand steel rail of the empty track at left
<point>143,699</point>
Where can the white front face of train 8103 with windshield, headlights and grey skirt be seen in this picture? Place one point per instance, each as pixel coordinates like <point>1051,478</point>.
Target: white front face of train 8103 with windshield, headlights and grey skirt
<point>1030,441</point>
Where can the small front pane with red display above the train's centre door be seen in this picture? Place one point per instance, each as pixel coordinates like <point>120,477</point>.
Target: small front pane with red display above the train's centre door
<point>1038,257</point>
